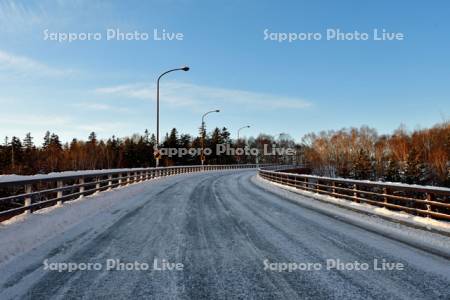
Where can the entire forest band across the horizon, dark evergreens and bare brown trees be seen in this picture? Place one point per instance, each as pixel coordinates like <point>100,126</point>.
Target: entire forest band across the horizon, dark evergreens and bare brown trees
<point>418,157</point>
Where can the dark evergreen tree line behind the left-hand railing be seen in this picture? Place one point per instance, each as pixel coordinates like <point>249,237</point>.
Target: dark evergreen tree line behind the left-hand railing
<point>24,157</point>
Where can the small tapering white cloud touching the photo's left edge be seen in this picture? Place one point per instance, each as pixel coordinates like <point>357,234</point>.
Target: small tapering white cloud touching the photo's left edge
<point>25,66</point>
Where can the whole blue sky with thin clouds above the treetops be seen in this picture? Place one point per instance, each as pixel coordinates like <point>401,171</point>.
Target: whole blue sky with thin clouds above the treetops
<point>298,87</point>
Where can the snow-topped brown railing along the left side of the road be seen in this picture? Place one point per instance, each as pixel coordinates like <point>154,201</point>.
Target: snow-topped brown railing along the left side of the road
<point>19,194</point>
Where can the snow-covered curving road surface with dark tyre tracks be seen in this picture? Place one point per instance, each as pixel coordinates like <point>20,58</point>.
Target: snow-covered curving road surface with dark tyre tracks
<point>222,230</point>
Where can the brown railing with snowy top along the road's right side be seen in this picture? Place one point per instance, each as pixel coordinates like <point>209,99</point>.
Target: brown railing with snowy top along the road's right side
<point>426,201</point>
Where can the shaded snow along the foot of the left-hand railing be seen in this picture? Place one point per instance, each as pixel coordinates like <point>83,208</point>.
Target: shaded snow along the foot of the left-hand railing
<point>22,233</point>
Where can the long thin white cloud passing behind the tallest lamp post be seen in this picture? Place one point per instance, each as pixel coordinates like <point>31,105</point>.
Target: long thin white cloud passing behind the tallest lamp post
<point>191,95</point>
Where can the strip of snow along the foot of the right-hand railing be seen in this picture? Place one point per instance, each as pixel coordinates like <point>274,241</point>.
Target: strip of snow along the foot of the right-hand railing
<point>403,227</point>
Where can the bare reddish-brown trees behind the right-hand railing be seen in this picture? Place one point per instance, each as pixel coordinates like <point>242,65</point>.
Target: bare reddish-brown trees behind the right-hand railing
<point>418,157</point>
